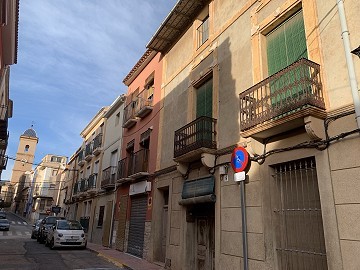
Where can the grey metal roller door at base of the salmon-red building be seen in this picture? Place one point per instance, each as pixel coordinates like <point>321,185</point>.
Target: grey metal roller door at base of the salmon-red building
<point>137,225</point>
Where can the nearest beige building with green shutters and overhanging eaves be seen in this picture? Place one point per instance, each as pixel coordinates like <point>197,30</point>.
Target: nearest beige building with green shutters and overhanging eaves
<point>272,77</point>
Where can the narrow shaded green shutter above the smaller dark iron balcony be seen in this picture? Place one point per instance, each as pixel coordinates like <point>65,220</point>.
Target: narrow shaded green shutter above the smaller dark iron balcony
<point>204,100</point>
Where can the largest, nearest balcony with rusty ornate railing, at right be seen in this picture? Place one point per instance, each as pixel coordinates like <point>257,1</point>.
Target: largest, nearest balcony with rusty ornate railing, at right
<point>280,102</point>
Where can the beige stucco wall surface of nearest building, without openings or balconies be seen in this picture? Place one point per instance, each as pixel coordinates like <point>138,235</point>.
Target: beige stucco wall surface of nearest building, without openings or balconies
<point>237,47</point>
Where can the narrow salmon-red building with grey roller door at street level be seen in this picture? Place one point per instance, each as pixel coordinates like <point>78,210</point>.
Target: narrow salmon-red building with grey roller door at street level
<point>139,155</point>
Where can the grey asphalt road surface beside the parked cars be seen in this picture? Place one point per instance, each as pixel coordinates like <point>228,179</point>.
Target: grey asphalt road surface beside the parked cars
<point>19,251</point>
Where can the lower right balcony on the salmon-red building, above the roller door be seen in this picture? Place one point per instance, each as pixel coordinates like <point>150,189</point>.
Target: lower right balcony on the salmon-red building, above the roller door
<point>138,164</point>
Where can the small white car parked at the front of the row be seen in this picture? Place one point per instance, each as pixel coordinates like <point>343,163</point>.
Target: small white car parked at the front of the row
<point>66,233</point>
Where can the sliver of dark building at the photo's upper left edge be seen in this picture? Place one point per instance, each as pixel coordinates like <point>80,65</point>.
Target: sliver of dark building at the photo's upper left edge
<point>9,20</point>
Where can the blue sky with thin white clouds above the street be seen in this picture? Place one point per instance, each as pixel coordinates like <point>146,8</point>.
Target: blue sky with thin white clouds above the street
<point>72,59</point>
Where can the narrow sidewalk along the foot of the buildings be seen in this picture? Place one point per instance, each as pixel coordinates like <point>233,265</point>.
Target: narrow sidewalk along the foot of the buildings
<point>123,259</point>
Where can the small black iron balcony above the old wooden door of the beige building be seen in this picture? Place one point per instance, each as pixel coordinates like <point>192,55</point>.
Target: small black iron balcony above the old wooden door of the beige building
<point>194,139</point>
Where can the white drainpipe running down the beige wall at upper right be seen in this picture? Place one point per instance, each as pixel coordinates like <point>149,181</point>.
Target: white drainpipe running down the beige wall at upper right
<point>349,61</point>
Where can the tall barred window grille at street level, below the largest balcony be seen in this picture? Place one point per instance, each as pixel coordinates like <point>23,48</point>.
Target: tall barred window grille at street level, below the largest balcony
<point>299,235</point>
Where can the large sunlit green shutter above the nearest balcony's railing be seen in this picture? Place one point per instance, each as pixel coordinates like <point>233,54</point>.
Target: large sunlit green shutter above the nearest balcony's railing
<point>286,44</point>
